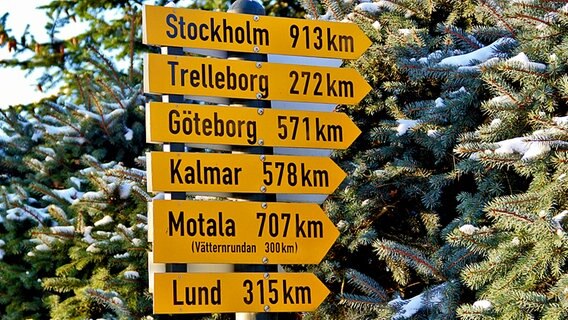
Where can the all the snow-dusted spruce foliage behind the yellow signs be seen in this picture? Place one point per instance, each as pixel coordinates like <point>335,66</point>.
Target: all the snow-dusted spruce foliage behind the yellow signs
<point>455,199</point>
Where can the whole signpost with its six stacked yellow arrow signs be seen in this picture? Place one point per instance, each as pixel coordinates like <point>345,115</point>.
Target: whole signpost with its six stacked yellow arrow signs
<point>264,232</point>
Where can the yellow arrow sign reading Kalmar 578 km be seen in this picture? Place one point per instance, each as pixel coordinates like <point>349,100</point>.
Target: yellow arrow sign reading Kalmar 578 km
<point>246,173</point>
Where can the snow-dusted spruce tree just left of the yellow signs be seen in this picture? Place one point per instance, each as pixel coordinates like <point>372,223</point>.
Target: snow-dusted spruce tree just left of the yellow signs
<point>86,203</point>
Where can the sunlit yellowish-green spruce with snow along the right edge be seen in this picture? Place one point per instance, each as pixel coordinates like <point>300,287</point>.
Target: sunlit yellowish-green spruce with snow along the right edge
<point>524,140</point>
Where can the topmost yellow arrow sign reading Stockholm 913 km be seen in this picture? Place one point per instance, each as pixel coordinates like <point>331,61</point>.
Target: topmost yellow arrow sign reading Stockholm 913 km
<point>178,27</point>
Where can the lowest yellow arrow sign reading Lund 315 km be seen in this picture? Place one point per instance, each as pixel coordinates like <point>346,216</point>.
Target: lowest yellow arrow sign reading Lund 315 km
<point>176,293</point>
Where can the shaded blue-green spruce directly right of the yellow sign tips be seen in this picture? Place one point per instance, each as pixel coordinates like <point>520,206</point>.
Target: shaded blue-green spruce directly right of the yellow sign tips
<point>406,191</point>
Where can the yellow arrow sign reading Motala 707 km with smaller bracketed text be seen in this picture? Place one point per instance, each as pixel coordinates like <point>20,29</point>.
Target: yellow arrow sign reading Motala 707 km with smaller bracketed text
<point>240,232</point>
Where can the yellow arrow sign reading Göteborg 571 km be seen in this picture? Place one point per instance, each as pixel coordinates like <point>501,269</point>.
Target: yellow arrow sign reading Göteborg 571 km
<point>190,123</point>
